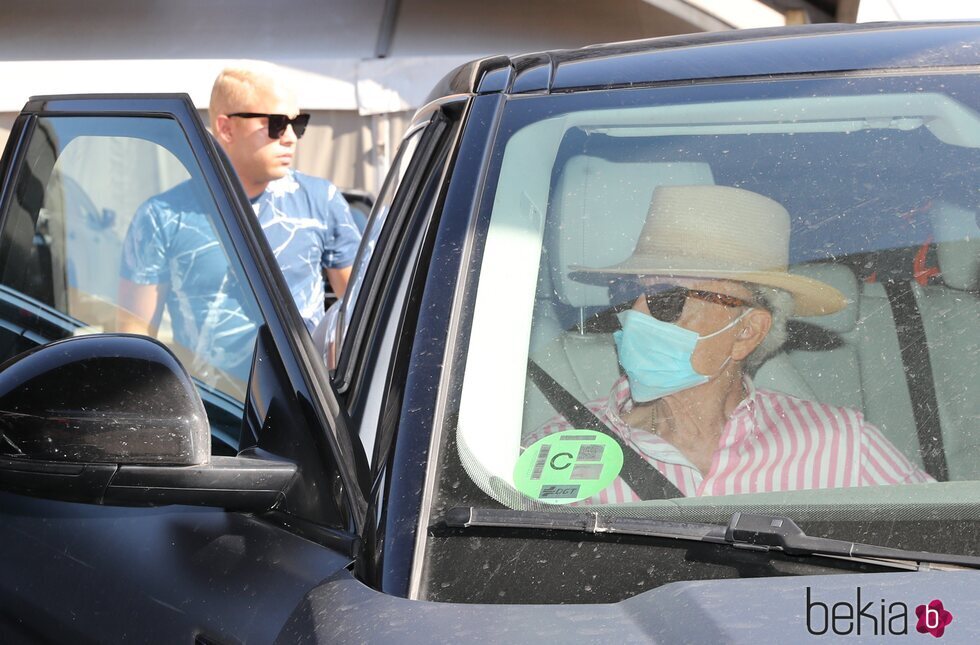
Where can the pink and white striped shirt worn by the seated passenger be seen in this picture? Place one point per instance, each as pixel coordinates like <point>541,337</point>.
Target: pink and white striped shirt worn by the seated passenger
<point>771,442</point>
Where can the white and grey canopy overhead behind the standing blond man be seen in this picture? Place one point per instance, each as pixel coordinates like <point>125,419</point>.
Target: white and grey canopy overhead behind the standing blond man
<point>373,56</point>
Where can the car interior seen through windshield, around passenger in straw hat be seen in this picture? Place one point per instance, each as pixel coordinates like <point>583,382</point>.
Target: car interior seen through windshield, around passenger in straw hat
<point>899,240</point>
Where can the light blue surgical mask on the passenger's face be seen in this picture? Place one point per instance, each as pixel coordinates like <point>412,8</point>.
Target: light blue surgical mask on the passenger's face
<point>657,355</point>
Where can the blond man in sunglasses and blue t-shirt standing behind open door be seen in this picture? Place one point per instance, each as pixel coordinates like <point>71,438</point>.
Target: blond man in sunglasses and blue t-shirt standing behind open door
<point>170,257</point>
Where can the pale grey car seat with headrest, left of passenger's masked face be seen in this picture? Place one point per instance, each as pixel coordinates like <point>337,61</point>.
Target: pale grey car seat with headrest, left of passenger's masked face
<point>595,216</point>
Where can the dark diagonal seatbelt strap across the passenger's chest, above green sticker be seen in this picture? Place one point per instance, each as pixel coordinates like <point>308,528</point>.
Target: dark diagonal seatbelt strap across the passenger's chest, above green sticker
<point>640,475</point>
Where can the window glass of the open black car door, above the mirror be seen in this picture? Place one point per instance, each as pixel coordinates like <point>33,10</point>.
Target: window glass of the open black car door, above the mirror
<point>109,207</point>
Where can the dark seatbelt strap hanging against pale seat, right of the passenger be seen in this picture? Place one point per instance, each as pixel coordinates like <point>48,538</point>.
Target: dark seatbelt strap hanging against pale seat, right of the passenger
<point>918,375</point>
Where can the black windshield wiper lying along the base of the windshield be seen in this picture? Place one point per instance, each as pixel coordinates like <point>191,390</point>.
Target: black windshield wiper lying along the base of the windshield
<point>750,531</point>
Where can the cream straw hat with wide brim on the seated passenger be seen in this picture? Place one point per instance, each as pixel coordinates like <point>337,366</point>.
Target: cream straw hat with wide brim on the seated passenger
<point>719,232</point>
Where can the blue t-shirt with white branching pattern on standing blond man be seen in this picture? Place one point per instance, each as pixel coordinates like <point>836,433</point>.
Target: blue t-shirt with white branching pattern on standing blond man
<point>171,240</point>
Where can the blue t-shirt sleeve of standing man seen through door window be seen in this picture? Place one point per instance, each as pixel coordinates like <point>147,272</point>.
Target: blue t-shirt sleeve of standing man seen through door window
<point>144,257</point>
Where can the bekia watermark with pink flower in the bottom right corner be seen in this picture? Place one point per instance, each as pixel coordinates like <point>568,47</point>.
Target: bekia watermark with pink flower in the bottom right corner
<point>875,617</point>
